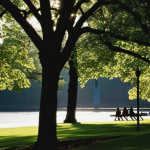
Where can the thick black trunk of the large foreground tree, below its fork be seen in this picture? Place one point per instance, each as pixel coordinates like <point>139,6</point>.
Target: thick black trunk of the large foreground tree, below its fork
<point>47,137</point>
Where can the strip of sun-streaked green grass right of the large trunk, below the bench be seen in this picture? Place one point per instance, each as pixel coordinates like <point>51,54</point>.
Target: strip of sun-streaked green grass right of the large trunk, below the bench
<point>77,130</point>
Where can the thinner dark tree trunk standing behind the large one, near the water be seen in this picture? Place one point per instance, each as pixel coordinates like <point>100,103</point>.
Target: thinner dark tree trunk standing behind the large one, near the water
<point>72,94</point>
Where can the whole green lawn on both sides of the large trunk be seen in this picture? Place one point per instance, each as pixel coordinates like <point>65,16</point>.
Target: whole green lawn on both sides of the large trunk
<point>133,140</point>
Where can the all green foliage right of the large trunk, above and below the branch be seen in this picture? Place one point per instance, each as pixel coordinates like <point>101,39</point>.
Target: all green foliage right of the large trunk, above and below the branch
<point>96,59</point>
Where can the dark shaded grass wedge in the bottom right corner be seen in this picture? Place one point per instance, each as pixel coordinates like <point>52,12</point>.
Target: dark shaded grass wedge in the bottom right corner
<point>134,142</point>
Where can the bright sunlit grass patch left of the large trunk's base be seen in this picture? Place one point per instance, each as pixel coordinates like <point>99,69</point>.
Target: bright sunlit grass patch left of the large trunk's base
<point>17,136</point>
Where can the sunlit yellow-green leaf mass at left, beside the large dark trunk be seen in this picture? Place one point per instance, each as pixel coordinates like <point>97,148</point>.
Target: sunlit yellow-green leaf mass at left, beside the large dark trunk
<point>14,58</point>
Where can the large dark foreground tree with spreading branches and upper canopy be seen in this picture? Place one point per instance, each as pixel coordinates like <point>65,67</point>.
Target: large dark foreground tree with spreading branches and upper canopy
<point>114,21</point>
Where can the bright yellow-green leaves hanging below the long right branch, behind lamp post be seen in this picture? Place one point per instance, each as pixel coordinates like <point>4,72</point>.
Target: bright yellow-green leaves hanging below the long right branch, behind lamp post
<point>112,65</point>
